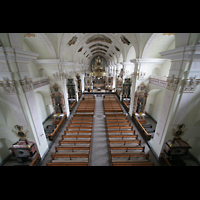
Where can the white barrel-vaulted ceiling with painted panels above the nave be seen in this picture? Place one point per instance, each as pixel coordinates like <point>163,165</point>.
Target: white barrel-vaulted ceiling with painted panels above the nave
<point>82,47</point>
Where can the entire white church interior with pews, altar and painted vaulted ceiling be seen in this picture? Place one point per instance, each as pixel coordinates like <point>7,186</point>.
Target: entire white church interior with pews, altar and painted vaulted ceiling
<point>57,90</point>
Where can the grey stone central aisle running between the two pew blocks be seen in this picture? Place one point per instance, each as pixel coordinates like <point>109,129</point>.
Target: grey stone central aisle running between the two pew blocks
<point>99,155</point>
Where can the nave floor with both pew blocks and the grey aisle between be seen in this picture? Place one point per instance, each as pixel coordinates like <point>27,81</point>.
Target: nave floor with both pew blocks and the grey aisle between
<point>83,147</point>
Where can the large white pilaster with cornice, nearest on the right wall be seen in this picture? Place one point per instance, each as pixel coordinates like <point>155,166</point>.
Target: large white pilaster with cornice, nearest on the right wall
<point>177,94</point>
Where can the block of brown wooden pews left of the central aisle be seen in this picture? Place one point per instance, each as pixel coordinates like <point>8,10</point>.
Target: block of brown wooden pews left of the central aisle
<point>74,148</point>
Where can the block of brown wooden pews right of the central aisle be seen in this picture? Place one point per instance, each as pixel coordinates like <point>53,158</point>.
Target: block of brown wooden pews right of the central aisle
<point>124,146</point>
